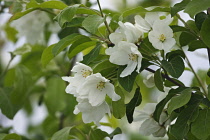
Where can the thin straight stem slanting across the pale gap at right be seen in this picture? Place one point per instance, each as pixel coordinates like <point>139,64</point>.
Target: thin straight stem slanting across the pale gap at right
<point>196,76</point>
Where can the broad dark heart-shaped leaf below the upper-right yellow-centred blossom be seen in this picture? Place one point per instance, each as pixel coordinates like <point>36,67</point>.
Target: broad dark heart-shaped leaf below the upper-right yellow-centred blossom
<point>174,67</point>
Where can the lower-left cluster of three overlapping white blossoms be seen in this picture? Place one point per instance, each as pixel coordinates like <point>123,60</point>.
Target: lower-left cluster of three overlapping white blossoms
<point>90,91</point>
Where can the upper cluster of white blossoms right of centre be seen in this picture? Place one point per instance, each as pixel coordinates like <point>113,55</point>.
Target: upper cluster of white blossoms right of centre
<point>126,38</point>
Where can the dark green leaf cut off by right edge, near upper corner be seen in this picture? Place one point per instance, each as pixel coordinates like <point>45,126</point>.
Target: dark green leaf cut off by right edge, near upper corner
<point>205,29</point>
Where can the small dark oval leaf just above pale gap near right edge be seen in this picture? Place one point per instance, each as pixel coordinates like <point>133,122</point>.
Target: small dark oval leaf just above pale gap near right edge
<point>196,44</point>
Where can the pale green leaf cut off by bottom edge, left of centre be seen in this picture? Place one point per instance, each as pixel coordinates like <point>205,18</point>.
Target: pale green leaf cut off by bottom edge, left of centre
<point>62,134</point>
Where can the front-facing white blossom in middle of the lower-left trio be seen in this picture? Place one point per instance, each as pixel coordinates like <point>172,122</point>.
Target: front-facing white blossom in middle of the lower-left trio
<point>95,88</point>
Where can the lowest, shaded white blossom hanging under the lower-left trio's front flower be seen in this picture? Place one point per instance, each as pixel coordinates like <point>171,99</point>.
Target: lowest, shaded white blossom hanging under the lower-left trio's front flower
<point>91,113</point>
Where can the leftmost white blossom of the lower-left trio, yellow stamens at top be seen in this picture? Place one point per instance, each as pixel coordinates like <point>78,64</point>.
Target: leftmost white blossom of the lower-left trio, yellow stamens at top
<point>81,72</point>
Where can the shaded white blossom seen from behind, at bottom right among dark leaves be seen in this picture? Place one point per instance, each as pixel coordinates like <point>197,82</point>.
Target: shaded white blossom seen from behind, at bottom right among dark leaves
<point>149,125</point>
